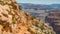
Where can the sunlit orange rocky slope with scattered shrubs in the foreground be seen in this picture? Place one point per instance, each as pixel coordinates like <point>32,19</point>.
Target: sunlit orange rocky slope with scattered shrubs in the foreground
<point>13,20</point>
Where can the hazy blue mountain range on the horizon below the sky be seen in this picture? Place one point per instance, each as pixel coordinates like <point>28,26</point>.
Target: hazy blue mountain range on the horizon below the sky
<point>39,6</point>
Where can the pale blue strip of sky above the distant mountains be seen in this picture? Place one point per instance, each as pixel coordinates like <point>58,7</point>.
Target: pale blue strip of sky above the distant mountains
<point>40,1</point>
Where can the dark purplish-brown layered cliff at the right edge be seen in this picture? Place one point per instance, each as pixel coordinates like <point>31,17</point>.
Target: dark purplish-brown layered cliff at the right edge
<point>54,19</point>
